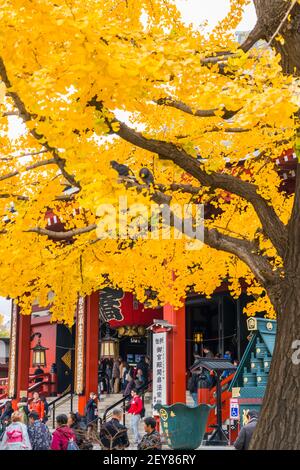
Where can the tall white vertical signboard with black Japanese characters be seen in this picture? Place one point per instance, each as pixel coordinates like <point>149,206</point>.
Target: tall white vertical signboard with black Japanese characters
<point>160,368</point>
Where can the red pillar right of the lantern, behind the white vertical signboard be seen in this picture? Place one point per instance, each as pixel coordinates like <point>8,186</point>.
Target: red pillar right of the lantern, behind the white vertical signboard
<point>176,354</point>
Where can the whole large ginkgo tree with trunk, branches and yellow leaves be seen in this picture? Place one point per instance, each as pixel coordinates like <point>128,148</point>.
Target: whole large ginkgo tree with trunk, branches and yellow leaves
<point>87,83</point>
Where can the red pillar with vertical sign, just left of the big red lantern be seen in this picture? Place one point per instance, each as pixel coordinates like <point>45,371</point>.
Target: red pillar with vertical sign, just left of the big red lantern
<point>89,358</point>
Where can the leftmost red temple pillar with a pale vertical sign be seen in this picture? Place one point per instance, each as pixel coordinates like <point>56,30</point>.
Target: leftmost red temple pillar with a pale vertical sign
<point>19,359</point>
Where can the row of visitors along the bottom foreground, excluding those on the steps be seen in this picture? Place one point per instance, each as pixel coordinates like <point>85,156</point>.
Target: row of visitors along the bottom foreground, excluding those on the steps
<point>26,428</point>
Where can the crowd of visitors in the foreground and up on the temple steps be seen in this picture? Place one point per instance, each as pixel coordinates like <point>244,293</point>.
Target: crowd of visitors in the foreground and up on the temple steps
<point>25,428</point>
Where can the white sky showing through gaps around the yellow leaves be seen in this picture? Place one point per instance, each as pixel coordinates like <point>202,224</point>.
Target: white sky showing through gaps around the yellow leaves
<point>193,11</point>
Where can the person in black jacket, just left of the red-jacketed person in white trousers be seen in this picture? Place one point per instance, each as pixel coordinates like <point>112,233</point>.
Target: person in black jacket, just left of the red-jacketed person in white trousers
<point>113,435</point>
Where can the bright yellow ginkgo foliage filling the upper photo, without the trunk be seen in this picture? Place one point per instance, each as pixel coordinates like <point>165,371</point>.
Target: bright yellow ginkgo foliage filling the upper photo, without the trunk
<point>57,57</point>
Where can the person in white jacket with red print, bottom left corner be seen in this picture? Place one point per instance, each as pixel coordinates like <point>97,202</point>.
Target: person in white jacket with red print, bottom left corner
<point>15,436</point>
